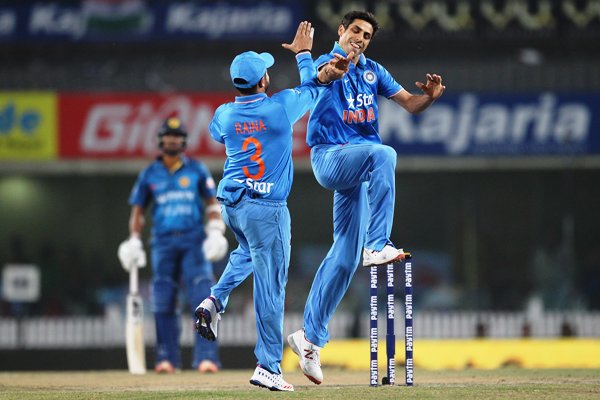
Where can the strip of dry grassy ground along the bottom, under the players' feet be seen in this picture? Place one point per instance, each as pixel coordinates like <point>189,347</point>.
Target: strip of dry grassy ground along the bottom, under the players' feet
<point>507,383</point>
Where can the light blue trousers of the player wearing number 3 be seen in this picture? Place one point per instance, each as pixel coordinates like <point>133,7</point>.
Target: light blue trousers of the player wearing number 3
<point>263,231</point>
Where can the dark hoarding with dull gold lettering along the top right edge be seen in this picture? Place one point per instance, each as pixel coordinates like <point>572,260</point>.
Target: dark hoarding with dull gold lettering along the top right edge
<point>468,20</point>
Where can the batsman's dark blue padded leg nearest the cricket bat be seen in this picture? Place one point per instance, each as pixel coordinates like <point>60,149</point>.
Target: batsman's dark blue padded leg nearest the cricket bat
<point>163,305</point>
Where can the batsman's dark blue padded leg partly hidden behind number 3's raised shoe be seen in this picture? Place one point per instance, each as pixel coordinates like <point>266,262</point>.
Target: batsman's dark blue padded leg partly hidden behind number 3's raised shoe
<point>198,278</point>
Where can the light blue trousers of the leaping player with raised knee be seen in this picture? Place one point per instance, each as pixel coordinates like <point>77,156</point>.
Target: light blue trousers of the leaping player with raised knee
<point>362,178</point>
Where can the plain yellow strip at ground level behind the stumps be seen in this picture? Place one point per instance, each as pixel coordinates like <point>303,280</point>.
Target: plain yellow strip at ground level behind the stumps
<point>460,354</point>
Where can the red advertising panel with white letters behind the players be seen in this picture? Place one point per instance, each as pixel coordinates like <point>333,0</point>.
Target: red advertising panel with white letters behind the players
<point>124,125</point>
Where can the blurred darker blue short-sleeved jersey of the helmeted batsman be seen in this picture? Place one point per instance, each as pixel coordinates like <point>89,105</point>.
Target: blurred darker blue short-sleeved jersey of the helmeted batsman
<point>176,197</point>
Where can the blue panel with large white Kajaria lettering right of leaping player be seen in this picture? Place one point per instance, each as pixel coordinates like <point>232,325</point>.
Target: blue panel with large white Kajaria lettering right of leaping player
<point>470,124</point>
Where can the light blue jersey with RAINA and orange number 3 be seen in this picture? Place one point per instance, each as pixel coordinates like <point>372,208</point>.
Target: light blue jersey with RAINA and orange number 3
<point>257,133</point>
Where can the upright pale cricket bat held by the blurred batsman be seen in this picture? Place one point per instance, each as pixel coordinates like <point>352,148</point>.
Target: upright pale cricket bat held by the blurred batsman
<point>134,326</point>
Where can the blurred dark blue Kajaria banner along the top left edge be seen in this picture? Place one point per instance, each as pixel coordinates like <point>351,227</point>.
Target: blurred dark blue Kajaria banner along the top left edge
<point>140,20</point>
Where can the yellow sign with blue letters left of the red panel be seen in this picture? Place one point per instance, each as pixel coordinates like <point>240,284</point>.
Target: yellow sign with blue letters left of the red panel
<point>28,126</point>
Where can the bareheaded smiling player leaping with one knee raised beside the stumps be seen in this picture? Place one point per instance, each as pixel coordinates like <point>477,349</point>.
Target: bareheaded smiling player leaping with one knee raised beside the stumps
<point>348,158</point>
